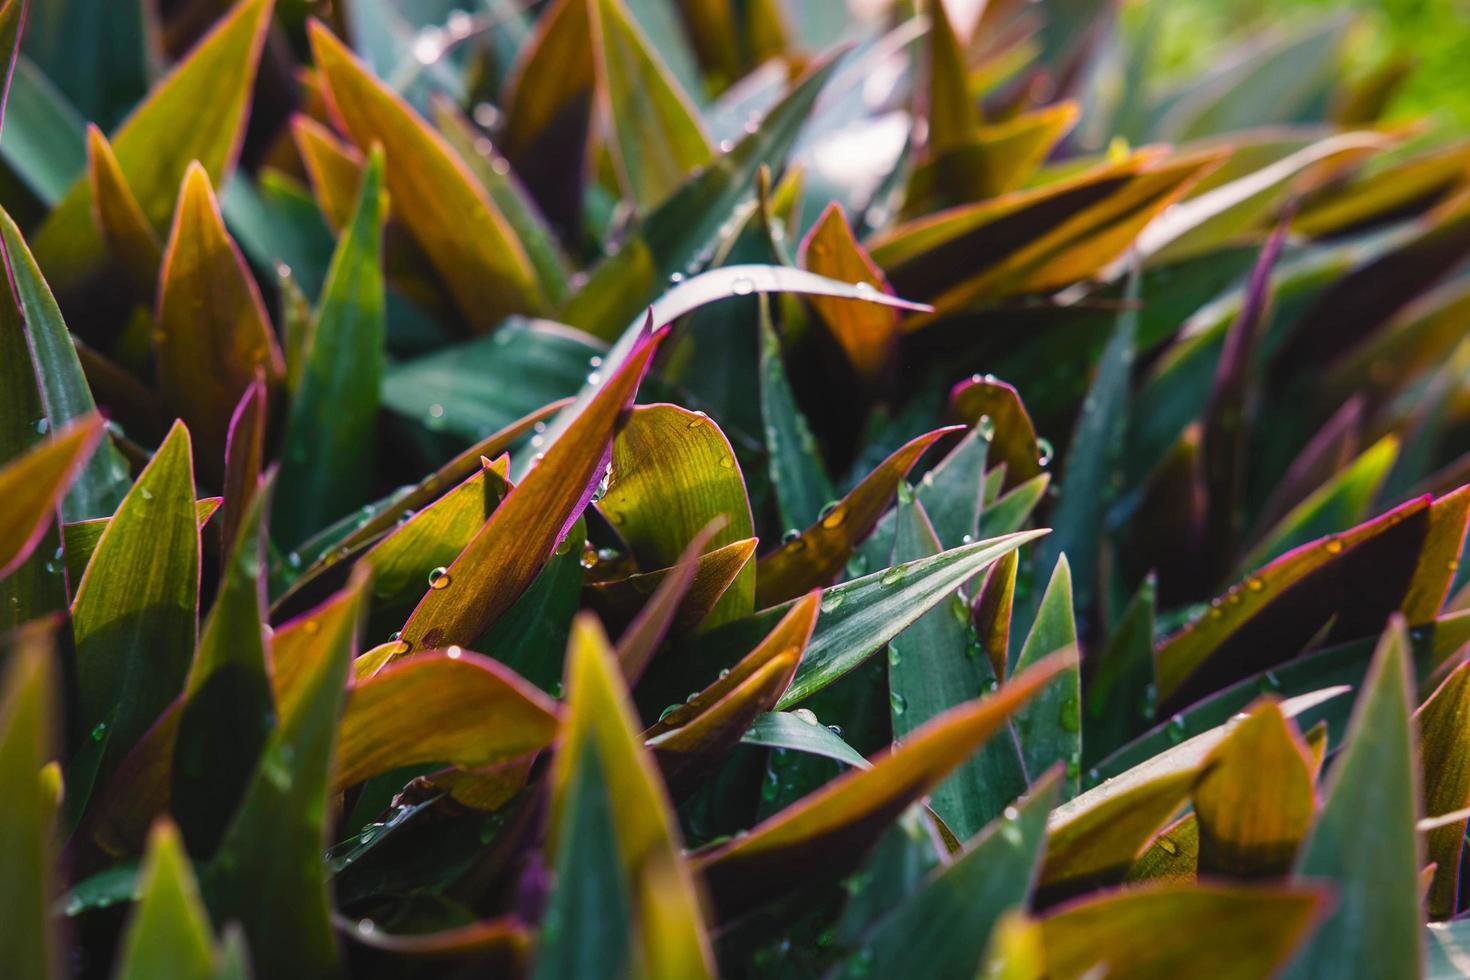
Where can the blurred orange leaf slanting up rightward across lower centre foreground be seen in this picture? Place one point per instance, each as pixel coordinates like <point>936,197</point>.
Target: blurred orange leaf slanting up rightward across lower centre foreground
<point>831,829</point>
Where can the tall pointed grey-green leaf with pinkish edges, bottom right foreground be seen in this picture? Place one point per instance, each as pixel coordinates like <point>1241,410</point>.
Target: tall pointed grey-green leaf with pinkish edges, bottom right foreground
<point>1375,925</point>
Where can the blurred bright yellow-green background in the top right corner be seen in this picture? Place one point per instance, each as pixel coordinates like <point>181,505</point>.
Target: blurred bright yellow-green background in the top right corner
<point>1433,35</point>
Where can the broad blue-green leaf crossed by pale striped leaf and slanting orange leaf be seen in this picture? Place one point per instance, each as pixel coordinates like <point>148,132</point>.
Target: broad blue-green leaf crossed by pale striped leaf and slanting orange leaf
<point>934,666</point>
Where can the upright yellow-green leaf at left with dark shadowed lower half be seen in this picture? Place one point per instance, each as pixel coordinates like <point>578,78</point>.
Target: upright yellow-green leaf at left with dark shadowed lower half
<point>136,615</point>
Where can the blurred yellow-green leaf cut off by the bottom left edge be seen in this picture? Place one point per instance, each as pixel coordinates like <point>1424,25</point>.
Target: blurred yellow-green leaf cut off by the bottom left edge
<point>27,707</point>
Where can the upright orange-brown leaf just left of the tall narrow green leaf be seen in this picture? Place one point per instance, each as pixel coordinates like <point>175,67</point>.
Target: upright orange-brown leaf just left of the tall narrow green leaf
<point>214,331</point>
